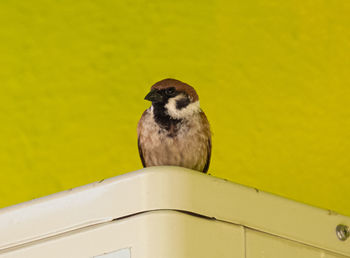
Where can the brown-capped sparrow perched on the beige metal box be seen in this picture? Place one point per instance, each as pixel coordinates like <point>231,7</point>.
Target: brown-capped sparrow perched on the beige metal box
<point>174,131</point>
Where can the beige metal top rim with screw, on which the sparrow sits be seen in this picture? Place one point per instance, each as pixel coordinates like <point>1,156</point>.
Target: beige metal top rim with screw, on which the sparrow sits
<point>158,188</point>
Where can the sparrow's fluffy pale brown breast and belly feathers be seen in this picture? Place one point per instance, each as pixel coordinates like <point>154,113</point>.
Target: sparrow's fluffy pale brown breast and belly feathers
<point>183,144</point>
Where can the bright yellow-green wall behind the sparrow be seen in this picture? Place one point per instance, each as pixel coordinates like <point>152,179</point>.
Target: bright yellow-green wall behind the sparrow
<point>273,78</point>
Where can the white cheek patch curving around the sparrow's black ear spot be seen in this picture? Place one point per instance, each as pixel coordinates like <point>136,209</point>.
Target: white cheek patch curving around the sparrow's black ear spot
<point>187,111</point>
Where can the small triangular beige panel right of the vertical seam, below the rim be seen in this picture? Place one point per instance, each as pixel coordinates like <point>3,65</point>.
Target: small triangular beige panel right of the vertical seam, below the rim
<point>262,245</point>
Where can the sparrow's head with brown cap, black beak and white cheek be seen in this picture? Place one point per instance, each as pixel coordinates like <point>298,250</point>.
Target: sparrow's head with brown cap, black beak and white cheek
<point>177,99</point>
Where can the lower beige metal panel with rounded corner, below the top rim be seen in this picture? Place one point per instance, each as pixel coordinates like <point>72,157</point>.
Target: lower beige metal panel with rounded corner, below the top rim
<point>156,234</point>
